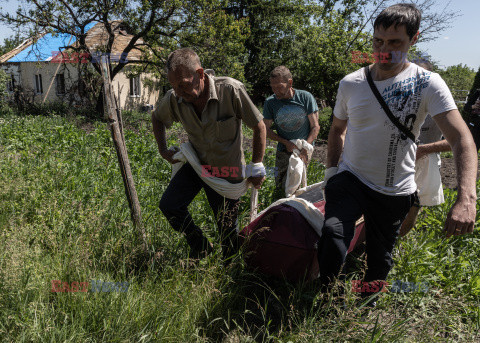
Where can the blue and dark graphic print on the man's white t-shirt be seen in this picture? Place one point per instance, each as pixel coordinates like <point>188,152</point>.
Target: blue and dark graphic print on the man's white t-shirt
<point>403,98</point>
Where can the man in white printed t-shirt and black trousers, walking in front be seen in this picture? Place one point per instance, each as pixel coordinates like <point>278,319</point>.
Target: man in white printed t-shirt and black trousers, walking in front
<point>373,162</point>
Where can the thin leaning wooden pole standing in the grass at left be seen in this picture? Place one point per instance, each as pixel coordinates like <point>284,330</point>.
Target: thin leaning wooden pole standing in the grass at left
<point>113,115</point>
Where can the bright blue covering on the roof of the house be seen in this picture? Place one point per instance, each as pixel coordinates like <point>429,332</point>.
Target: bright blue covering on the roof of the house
<point>45,47</point>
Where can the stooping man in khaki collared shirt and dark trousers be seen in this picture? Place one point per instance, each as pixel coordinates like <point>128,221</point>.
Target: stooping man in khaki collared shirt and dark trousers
<point>211,110</point>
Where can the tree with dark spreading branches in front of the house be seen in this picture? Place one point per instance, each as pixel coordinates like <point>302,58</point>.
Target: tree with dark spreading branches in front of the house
<point>156,27</point>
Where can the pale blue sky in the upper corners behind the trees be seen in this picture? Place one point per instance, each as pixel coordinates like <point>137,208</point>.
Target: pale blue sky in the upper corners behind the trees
<point>458,44</point>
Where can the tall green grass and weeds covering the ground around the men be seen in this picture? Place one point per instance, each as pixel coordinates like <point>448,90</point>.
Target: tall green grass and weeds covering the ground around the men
<point>64,216</point>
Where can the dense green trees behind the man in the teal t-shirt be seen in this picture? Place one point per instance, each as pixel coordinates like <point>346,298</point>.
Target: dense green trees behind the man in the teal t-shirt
<point>315,38</point>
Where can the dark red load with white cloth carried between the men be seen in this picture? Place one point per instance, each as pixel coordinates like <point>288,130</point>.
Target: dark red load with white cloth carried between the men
<point>282,240</point>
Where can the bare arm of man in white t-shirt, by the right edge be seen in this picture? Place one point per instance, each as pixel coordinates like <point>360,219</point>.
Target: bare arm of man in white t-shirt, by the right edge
<point>461,218</point>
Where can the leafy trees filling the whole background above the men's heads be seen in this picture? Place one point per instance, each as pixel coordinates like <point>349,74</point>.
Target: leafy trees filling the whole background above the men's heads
<point>244,39</point>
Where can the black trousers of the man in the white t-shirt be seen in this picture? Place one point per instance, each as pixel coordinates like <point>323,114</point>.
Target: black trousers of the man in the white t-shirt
<point>347,198</point>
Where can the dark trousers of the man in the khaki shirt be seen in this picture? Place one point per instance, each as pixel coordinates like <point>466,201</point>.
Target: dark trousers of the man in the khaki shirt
<point>181,191</point>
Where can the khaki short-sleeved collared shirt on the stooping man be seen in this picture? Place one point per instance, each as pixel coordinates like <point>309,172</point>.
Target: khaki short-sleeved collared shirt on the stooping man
<point>217,135</point>
